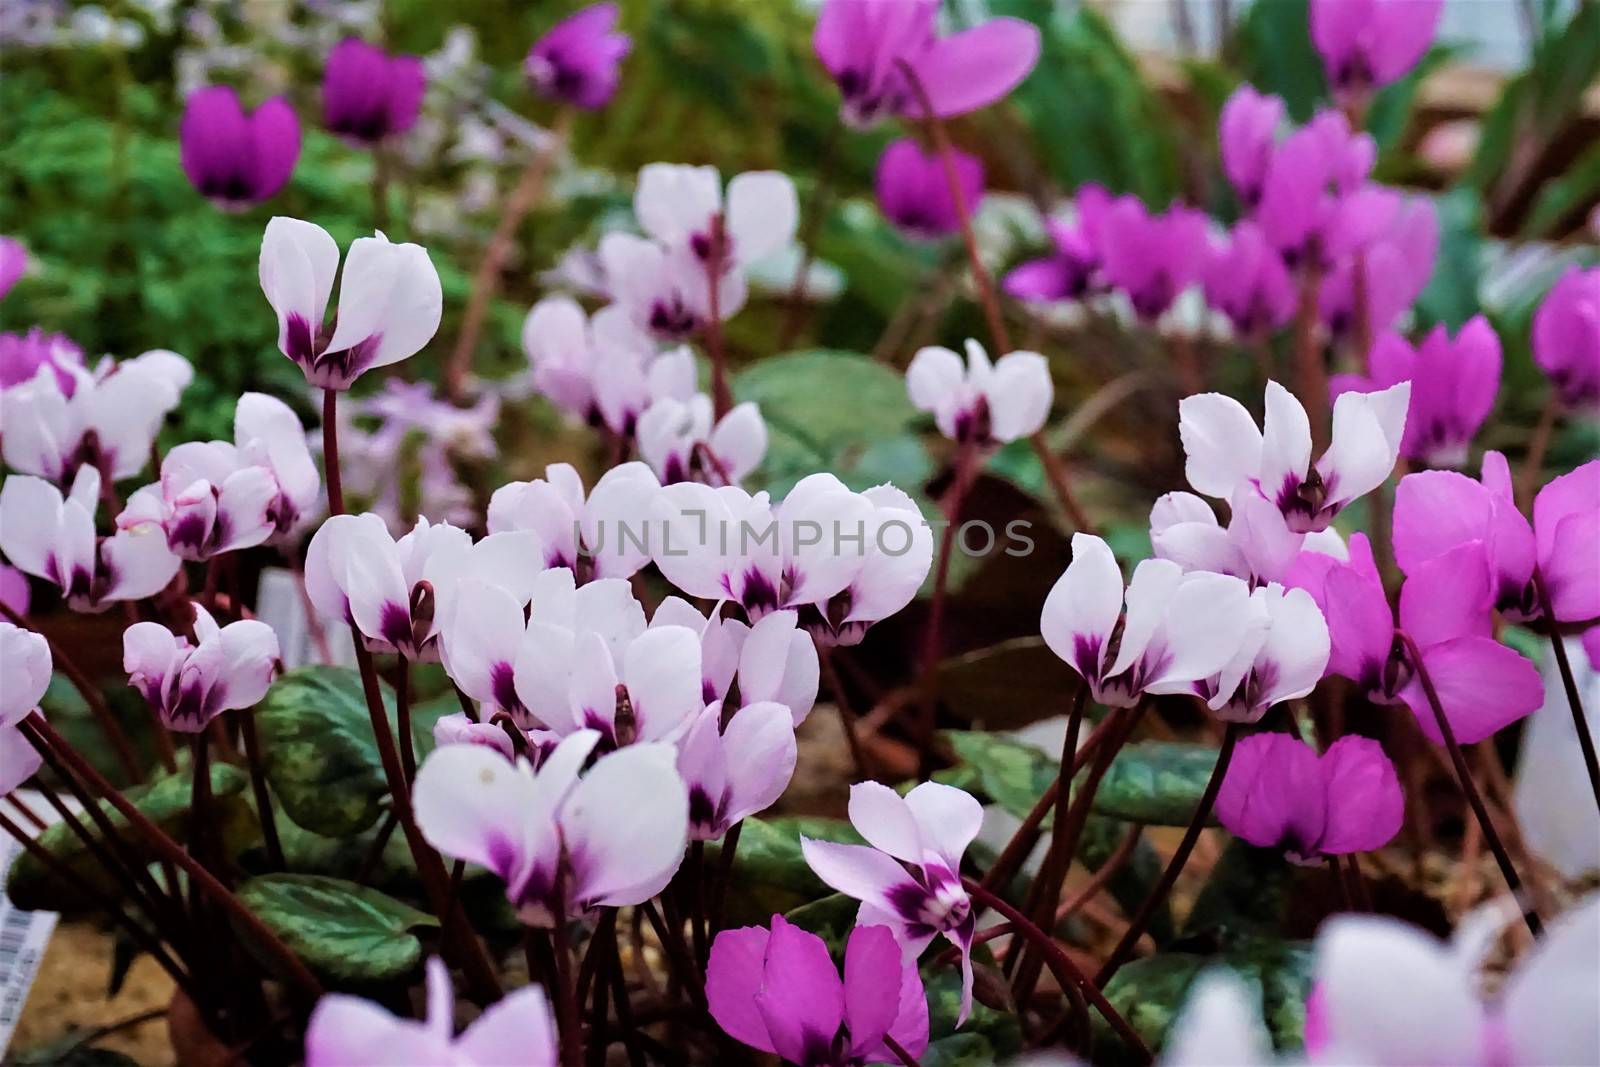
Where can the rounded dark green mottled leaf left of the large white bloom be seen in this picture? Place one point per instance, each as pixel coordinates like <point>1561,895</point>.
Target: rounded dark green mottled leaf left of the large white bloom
<point>319,751</point>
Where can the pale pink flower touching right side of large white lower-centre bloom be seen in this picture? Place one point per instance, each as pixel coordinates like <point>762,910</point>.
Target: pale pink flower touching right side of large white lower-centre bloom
<point>738,770</point>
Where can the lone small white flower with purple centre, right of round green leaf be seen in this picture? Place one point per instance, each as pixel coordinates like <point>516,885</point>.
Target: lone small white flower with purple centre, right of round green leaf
<point>985,404</point>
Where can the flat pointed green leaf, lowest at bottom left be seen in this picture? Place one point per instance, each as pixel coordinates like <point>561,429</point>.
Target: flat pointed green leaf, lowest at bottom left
<point>345,932</point>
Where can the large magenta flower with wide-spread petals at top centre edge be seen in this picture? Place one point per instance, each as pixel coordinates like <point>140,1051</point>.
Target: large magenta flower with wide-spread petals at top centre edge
<point>862,46</point>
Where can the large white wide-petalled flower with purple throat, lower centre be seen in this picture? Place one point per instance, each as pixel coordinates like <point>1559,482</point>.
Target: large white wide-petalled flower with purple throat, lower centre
<point>562,844</point>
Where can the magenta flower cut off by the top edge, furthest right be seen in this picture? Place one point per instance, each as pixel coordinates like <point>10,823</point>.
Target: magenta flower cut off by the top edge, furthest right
<point>1369,44</point>
